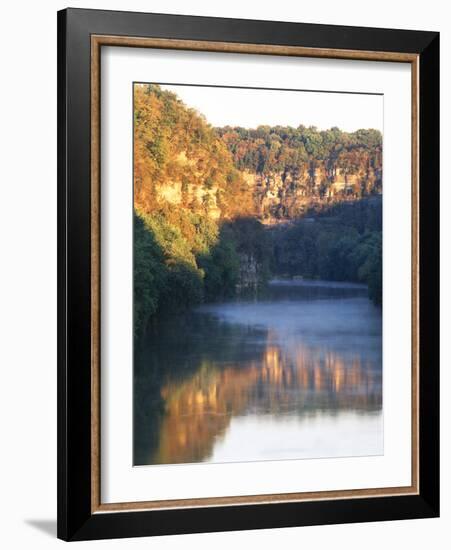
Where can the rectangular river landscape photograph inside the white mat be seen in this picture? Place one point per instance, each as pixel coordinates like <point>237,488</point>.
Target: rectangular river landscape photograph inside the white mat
<point>257,274</point>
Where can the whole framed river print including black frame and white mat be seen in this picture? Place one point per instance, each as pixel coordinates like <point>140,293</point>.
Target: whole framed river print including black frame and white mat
<point>248,274</point>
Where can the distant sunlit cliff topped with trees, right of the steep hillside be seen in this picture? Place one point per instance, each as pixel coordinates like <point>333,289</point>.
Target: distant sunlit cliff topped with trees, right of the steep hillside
<point>293,169</point>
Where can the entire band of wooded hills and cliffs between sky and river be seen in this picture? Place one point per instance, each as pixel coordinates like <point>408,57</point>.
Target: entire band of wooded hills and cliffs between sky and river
<point>204,198</point>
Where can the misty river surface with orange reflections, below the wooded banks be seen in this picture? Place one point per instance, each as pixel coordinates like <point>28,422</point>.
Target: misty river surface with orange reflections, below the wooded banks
<point>294,374</point>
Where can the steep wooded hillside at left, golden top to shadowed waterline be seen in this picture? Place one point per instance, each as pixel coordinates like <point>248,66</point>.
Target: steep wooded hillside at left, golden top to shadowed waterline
<point>194,228</point>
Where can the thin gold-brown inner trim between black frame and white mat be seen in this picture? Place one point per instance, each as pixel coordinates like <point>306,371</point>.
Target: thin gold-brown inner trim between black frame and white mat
<point>97,41</point>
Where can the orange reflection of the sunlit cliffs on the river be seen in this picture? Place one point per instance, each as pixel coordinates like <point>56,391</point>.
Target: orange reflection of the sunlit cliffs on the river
<point>296,382</point>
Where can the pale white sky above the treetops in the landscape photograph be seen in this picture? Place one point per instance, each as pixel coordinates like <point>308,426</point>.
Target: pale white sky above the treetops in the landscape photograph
<point>251,108</point>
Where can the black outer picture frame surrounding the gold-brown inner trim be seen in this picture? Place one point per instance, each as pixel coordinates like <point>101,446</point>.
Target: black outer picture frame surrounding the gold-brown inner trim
<point>76,521</point>
